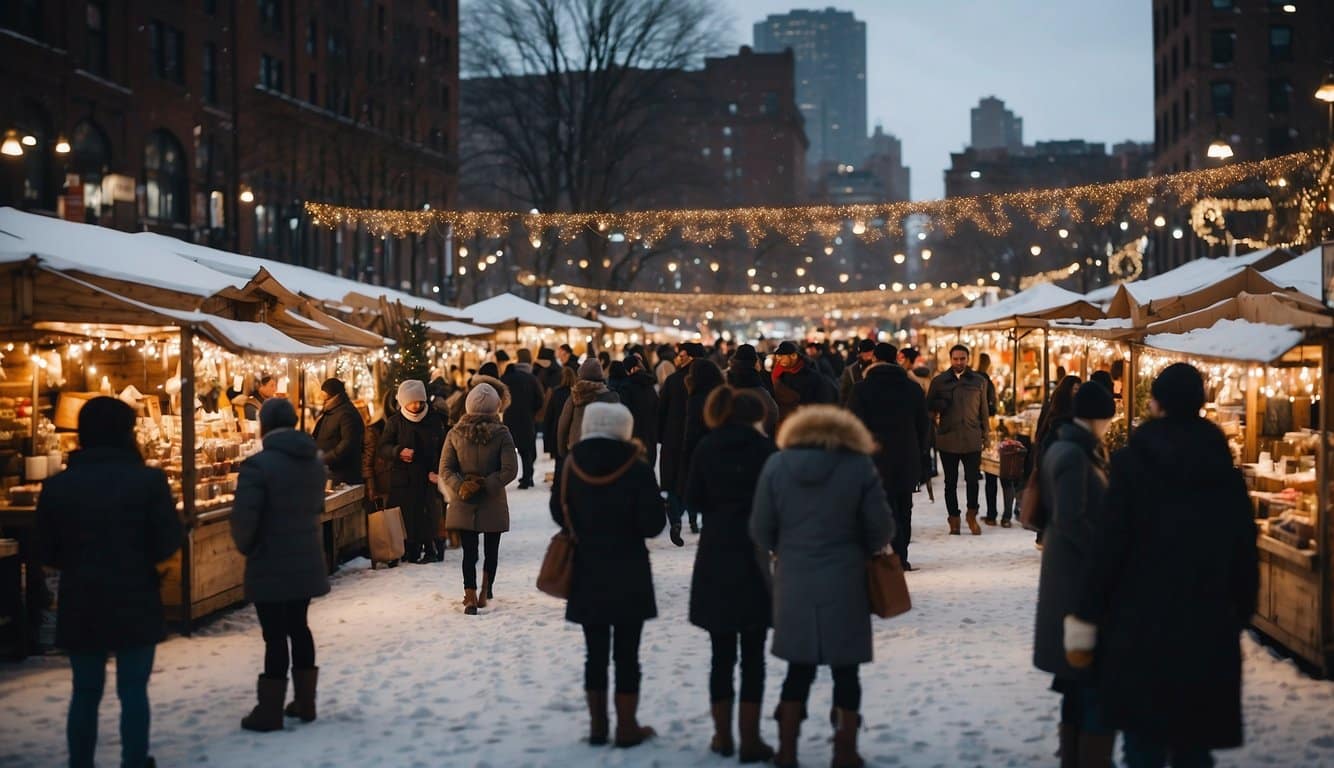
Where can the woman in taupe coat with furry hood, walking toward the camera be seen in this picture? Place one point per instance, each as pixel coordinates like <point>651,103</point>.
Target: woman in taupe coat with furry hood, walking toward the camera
<point>478,462</point>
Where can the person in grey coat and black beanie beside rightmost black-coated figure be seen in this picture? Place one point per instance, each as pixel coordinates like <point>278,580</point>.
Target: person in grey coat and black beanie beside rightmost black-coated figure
<point>1075,482</point>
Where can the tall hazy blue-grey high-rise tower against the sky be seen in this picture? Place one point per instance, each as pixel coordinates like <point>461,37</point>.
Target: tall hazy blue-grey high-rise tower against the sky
<point>830,49</point>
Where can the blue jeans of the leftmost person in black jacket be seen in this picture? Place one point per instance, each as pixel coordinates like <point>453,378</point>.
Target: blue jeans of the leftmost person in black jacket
<point>90,674</point>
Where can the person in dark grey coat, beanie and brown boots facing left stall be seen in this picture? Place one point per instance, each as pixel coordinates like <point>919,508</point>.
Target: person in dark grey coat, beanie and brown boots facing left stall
<point>277,526</point>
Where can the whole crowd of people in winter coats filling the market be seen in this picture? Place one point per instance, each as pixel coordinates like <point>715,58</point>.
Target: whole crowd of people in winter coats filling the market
<point>794,467</point>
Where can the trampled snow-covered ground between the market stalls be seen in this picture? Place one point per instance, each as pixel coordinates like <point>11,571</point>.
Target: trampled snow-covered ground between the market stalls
<point>408,679</point>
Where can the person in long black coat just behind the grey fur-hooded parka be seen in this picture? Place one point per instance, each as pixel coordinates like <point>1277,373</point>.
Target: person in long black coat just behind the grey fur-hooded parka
<point>893,407</point>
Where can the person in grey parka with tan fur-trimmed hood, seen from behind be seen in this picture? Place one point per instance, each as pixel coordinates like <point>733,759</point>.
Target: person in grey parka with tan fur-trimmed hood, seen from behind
<point>821,510</point>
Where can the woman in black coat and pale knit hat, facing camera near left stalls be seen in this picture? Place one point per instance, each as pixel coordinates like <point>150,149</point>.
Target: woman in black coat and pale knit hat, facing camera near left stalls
<point>412,442</point>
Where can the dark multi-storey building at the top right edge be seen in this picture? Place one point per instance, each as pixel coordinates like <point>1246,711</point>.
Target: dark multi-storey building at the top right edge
<point>1240,71</point>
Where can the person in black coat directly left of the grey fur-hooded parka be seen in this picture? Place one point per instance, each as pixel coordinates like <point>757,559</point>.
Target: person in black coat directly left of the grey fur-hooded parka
<point>729,590</point>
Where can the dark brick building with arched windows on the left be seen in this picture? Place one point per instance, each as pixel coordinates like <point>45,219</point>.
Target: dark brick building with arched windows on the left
<point>215,121</point>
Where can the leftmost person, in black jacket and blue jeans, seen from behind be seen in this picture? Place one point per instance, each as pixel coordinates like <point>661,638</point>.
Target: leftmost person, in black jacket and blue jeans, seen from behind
<point>106,523</point>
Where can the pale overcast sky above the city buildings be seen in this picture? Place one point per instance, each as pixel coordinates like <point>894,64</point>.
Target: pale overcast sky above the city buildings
<point>1071,69</point>
